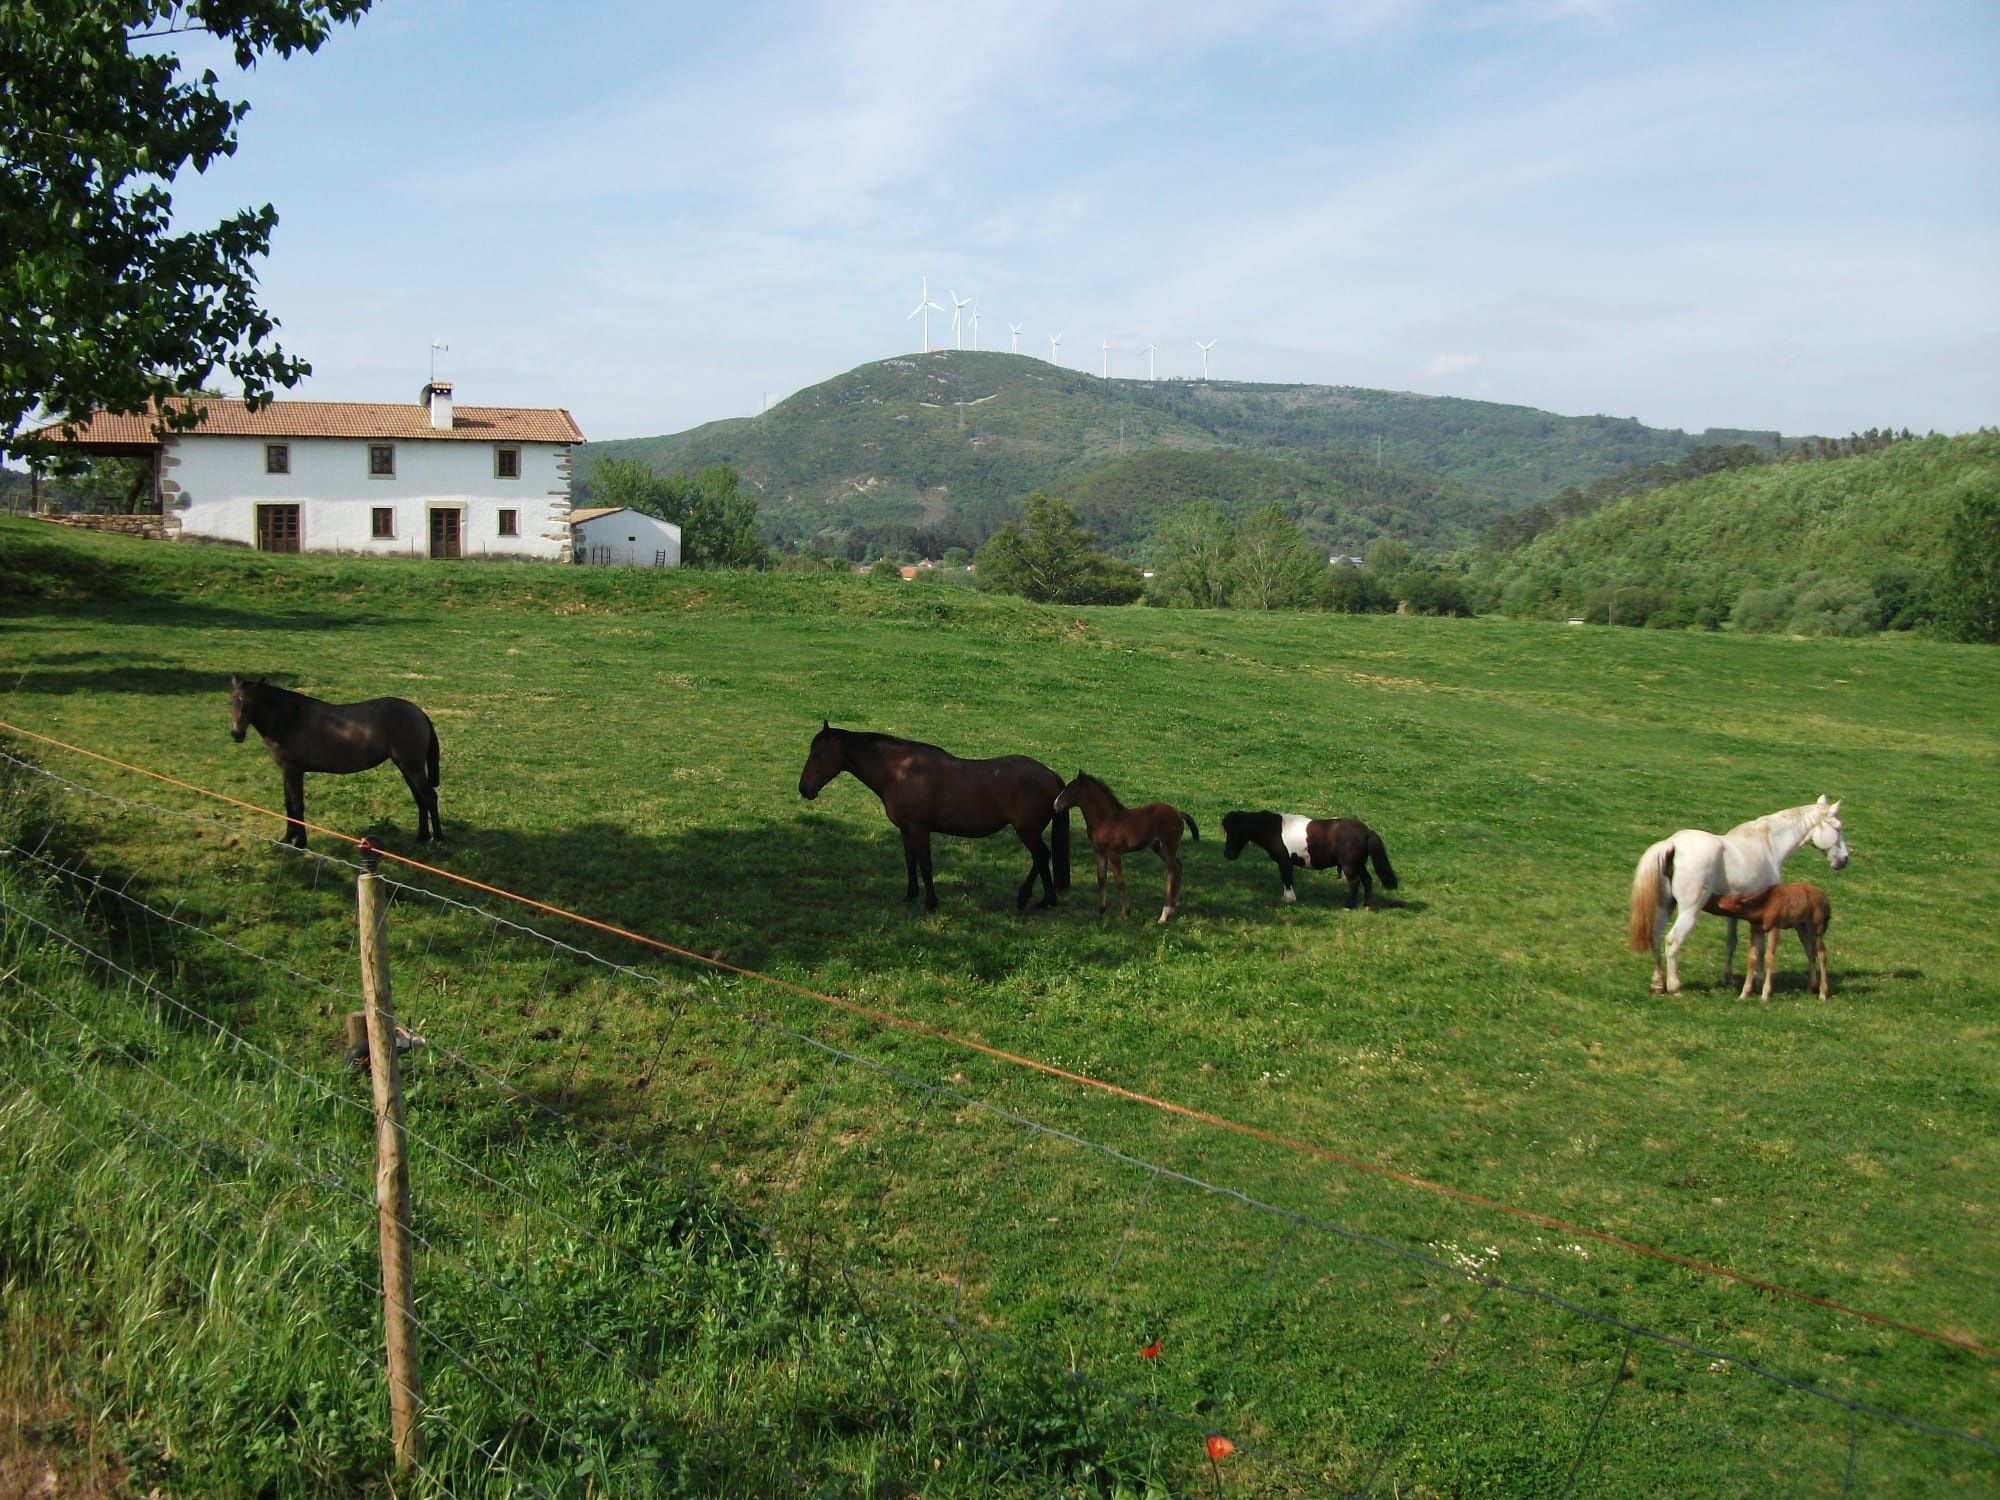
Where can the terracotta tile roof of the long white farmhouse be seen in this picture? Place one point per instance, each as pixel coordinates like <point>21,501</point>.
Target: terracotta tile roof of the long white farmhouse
<point>399,421</point>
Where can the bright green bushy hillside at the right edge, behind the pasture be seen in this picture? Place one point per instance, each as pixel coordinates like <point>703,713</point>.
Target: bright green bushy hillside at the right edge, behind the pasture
<point>1877,519</point>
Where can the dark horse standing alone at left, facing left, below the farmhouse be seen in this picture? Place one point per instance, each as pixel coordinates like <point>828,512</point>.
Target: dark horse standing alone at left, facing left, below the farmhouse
<point>309,735</point>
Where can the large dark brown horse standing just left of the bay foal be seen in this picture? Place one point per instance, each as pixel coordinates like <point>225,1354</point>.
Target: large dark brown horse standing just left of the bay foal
<point>927,791</point>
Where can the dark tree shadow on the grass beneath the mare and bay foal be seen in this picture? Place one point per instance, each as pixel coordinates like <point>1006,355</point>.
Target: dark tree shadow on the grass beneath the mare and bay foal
<point>821,897</point>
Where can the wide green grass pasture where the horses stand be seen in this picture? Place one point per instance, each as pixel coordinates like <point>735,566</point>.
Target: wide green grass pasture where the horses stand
<point>631,747</point>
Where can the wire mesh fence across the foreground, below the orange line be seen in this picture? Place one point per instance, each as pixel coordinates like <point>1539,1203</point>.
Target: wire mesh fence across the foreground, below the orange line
<point>673,1239</point>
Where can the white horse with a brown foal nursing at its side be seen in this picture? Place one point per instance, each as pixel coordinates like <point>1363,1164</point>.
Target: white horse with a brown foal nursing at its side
<point>1691,867</point>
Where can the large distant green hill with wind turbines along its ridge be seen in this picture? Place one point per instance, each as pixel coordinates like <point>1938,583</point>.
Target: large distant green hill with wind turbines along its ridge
<point>935,449</point>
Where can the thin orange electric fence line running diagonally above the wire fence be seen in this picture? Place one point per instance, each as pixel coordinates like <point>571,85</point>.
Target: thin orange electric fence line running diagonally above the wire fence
<point>1053,1071</point>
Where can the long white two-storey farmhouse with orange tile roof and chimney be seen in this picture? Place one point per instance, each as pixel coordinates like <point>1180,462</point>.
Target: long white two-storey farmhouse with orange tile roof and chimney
<point>377,479</point>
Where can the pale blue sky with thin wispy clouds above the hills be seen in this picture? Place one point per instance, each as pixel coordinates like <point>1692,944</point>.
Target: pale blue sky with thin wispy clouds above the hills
<point>1737,215</point>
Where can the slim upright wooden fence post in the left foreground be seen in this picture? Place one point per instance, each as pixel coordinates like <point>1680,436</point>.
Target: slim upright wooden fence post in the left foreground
<point>393,1173</point>
